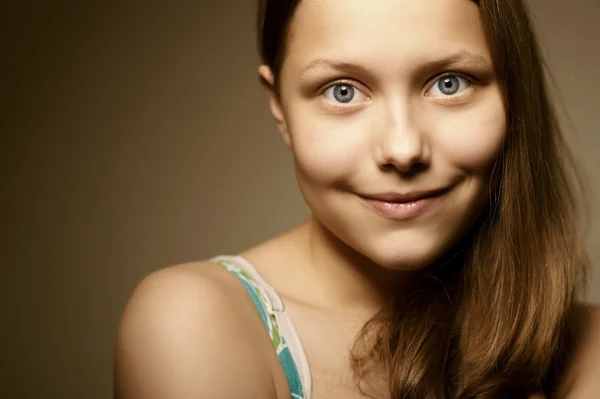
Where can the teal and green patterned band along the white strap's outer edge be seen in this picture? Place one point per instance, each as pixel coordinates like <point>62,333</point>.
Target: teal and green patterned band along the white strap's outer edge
<point>279,343</point>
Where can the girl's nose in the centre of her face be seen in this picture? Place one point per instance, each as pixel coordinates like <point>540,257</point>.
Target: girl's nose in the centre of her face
<point>403,146</point>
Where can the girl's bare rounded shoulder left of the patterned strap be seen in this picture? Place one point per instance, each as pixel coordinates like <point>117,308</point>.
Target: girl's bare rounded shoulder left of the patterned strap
<point>185,334</point>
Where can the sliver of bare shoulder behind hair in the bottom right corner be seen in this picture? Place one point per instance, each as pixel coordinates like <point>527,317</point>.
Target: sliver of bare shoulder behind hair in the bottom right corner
<point>582,379</point>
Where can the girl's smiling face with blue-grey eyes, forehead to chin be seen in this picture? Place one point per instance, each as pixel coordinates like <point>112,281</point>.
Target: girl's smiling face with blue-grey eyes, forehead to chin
<point>395,119</point>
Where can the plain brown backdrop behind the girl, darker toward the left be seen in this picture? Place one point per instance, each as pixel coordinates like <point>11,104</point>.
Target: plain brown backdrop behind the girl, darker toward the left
<point>135,136</point>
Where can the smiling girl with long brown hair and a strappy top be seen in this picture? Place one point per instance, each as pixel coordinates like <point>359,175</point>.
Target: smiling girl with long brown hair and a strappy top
<point>444,254</point>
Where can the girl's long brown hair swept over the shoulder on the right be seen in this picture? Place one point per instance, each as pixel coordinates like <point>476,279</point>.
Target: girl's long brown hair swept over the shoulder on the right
<point>491,318</point>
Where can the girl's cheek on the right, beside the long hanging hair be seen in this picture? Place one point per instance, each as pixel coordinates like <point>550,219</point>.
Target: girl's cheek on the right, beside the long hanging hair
<point>473,140</point>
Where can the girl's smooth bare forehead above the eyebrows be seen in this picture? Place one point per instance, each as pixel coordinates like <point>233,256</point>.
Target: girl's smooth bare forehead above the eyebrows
<point>384,32</point>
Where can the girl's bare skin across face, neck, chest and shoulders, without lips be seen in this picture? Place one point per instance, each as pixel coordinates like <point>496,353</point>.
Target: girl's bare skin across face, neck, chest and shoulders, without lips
<point>399,133</point>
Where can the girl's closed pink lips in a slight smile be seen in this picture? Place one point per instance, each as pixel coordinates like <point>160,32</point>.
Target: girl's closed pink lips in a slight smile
<point>403,206</point>
